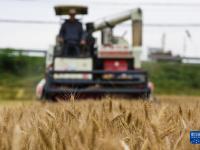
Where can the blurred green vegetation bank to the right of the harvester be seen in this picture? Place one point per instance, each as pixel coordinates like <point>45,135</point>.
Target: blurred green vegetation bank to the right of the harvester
<point>174,78</point>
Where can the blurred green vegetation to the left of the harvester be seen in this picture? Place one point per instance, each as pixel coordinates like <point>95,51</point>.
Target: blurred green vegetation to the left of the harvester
<point>19,74</point>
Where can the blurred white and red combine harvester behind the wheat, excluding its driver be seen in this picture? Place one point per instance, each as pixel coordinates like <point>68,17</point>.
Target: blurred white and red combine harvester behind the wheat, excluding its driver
<point>114,68</point>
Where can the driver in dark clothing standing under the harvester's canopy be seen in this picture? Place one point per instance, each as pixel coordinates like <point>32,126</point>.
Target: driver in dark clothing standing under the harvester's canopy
<point>71,35</point>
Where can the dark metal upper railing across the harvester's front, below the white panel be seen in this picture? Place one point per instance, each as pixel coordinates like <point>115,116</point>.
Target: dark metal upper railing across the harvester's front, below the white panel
<point>137,77</point>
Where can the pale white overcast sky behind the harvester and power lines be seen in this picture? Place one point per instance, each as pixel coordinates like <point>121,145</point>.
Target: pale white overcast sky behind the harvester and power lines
<point>41,36</point>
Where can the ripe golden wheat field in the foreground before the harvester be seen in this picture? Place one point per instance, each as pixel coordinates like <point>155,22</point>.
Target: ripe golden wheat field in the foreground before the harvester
<point>108,124</point>
